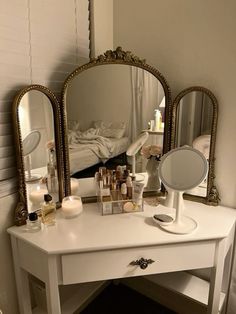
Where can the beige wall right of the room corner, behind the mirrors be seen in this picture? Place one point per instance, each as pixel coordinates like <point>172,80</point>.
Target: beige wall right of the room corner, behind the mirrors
<point>191,43</point>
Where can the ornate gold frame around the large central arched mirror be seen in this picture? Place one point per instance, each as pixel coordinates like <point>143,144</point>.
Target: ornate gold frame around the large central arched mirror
<point>117,56</point>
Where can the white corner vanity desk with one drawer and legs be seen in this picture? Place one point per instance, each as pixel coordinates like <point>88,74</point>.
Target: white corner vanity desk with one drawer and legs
<point>93,247</point>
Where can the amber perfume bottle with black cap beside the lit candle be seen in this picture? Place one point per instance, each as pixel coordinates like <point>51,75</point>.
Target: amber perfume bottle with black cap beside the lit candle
<point>48,211</point>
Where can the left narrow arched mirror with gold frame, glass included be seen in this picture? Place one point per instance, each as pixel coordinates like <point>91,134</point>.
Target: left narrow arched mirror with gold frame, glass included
<point>37,127</point>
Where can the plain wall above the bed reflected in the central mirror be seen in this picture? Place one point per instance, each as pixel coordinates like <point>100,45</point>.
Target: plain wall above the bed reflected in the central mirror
<point>90,98</point>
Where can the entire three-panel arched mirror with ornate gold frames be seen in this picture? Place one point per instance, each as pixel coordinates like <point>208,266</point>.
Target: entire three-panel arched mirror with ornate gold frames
<point>106,104</point>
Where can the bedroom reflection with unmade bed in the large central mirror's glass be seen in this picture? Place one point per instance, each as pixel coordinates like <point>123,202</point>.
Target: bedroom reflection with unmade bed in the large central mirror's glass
<point>107,108</point>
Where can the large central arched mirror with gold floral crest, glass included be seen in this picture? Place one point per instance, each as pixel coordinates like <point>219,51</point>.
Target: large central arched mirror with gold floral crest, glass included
<point>106,104</point>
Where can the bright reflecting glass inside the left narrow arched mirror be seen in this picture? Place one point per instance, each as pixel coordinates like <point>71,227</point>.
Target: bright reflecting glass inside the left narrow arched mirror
<point>35,113</point>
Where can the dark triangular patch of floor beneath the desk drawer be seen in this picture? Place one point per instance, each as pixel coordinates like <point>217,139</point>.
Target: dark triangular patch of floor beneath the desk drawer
<point>119,299</point>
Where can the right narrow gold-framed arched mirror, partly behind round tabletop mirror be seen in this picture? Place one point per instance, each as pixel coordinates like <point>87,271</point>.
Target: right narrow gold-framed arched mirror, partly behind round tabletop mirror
<point>194,123</point>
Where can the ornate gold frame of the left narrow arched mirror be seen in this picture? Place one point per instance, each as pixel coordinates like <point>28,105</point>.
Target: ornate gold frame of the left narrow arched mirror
<point>21,210</point>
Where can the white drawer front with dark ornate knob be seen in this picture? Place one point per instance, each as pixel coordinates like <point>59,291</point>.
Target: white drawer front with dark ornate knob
<point>119,263</point>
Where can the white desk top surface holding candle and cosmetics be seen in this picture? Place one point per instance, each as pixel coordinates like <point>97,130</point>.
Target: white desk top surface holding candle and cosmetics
<point>91,231</point>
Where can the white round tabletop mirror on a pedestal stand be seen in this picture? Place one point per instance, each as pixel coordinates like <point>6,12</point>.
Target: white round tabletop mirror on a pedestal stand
<point>180,170</point>
